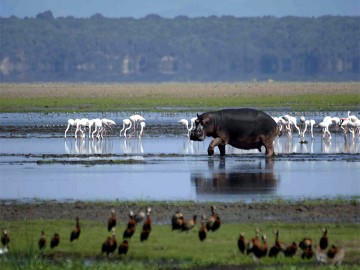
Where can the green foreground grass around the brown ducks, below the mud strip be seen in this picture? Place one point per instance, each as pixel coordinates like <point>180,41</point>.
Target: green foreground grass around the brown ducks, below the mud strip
<point>164,248</point>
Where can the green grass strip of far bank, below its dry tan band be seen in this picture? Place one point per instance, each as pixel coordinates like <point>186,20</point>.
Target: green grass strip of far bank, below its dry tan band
<point>309,102</point>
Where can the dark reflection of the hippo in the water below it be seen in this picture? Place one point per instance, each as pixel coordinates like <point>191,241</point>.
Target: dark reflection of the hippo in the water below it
<point>254,177</point>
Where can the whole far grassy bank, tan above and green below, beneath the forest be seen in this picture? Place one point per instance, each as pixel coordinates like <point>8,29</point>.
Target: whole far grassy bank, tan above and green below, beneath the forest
<point>53,97</point>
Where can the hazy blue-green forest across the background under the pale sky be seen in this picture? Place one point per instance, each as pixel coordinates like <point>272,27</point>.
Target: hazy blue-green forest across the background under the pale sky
<point>153,49</point>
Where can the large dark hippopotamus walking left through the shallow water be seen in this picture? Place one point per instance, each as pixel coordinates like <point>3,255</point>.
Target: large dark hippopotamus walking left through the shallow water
<point>241,128</point>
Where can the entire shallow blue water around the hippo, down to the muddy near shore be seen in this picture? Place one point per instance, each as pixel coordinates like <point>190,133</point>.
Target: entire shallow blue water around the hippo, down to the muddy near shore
<point>171,167</point>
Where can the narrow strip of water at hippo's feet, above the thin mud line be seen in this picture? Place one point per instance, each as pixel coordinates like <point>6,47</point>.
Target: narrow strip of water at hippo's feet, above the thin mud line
<point>166,145</point>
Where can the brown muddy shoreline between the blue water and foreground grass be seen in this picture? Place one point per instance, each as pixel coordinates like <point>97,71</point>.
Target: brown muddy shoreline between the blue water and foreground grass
<point>323,211</point>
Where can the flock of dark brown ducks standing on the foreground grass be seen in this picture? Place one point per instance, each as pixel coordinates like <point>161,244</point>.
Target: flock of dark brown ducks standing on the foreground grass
<point>257,246</point>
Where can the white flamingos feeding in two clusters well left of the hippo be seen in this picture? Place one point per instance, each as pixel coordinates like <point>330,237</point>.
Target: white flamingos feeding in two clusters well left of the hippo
<point>97,127</point>
